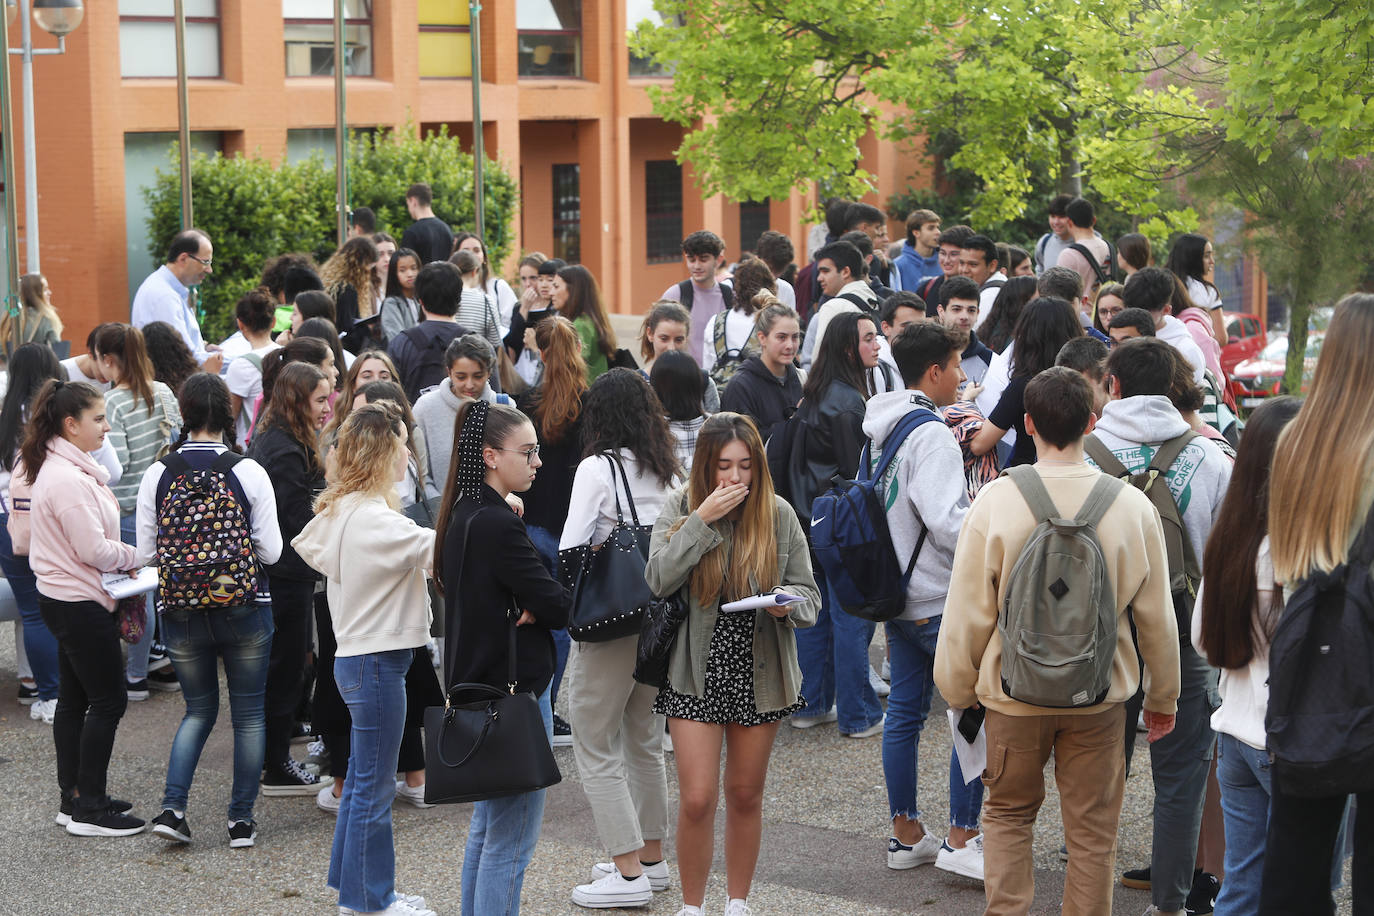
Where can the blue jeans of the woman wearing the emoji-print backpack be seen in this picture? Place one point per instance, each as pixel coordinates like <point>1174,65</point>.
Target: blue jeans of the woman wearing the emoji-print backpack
<point>243,637</point>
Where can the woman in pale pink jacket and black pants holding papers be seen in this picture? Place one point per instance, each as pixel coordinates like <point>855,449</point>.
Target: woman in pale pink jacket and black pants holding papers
<point>75,538</point>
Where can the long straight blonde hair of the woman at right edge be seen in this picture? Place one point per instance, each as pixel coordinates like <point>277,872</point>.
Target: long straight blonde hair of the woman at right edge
<point>1311,524</point>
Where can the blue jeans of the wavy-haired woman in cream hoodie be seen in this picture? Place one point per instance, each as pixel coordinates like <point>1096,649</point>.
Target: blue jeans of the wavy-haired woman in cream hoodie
<point>363,860</point>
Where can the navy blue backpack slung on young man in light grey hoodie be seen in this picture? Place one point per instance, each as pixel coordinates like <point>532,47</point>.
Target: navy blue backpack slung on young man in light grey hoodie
<point>851,540</point>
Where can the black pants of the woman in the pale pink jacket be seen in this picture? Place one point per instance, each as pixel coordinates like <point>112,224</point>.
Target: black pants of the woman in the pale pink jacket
<point>91,697</point>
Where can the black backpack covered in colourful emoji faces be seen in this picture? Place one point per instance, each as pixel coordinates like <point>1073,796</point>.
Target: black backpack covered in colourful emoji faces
<point>204,545</point>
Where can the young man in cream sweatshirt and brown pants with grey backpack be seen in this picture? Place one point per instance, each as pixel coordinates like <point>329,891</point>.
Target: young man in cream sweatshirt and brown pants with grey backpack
<point>1016,615</point>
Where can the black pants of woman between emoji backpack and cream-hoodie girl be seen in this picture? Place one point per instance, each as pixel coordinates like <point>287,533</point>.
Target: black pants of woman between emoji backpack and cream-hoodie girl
<point>292,604</point>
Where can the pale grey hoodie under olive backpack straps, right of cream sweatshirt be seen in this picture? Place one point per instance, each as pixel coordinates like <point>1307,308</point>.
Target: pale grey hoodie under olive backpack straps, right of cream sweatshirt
<point>1134,428</point>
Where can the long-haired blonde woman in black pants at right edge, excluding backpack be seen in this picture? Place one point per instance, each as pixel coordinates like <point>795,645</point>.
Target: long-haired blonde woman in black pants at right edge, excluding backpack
<point>1321,491</point>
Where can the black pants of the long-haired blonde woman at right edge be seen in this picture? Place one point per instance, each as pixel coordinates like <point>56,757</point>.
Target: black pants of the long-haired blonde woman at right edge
<point>1299,851</point>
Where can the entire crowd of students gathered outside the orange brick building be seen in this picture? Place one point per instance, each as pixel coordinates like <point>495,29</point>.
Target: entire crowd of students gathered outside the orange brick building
<point>337,516</point>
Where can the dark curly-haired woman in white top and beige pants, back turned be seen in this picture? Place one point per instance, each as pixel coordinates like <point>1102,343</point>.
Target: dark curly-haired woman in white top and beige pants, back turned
<point>618,738</point>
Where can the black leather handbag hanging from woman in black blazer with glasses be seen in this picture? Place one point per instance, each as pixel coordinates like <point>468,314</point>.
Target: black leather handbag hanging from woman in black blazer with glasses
<point>486,742</point>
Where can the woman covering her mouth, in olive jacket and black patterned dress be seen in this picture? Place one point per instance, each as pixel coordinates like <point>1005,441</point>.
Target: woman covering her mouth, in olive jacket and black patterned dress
<point>733,676</point>
